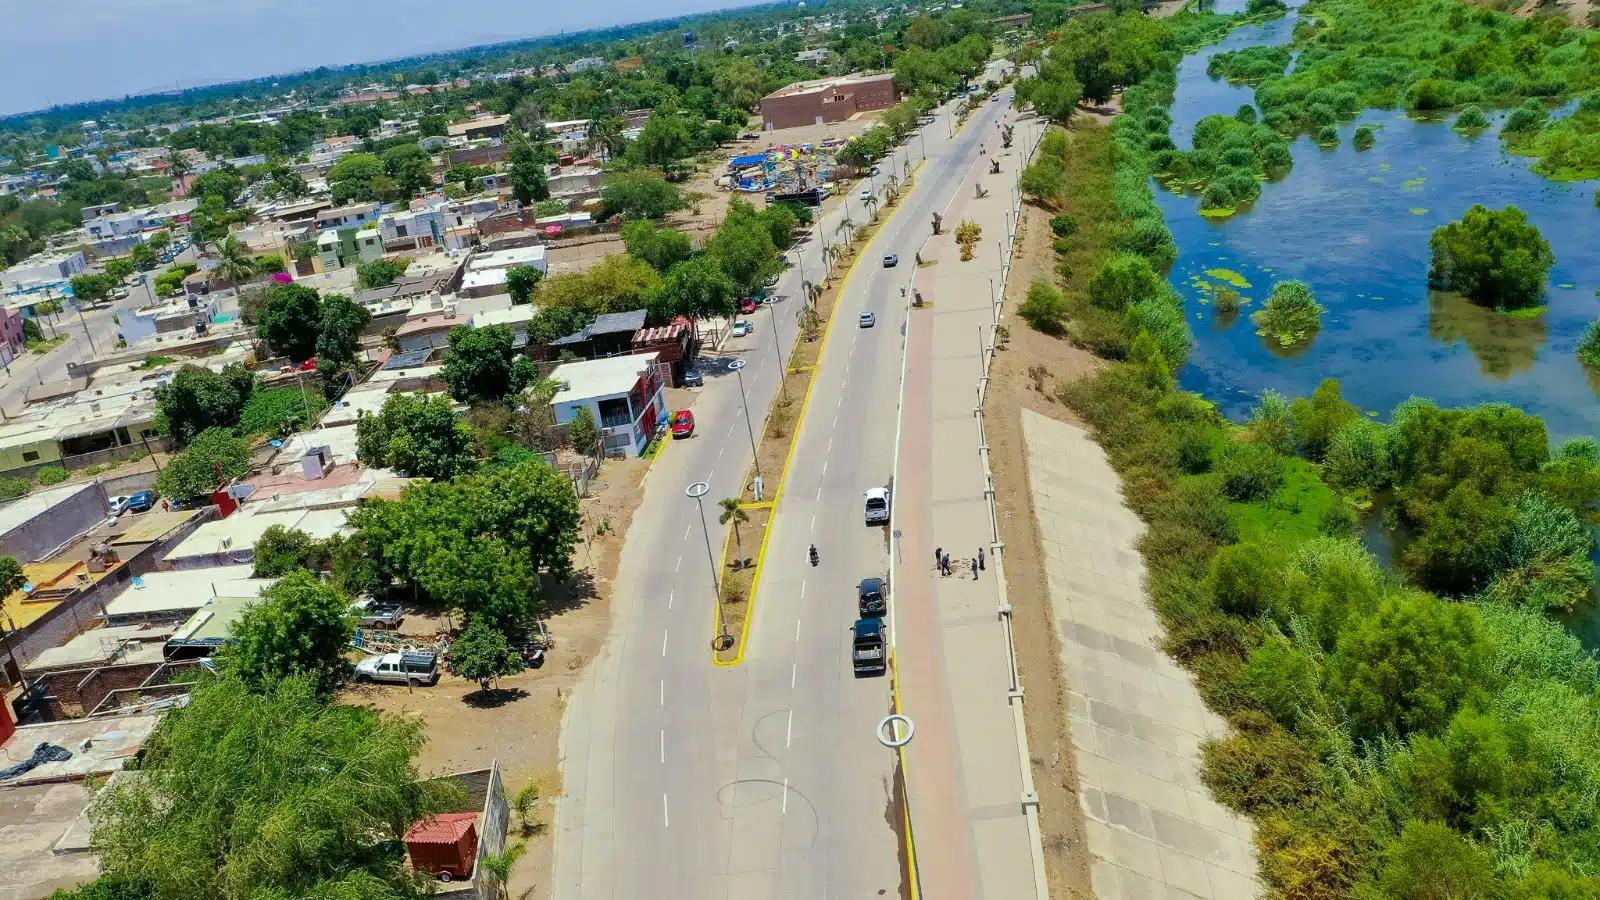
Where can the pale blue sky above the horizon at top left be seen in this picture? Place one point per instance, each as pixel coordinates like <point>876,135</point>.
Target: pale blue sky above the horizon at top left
<point>60,52</point>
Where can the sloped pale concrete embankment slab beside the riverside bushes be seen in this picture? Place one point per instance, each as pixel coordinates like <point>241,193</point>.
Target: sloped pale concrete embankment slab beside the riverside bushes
<point>1137,718</point>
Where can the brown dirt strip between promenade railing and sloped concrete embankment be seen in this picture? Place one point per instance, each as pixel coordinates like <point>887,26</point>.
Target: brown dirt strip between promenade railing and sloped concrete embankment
<point>1028,374</point>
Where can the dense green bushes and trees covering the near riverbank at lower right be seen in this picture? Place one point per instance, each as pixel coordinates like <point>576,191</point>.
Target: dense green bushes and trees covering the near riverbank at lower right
<point>1394,734</point>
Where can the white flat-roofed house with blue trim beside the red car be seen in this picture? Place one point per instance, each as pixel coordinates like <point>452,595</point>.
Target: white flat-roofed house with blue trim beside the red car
<point>626,395</point>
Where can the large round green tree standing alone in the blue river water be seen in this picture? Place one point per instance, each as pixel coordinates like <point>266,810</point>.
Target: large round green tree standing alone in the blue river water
<point>1494,257</point>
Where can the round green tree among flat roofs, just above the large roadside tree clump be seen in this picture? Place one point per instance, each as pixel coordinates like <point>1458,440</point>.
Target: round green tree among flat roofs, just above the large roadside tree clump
<point>417,436</point>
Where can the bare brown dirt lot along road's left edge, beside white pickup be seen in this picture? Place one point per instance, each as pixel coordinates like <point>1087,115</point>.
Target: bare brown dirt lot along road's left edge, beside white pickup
<point>521,723</point>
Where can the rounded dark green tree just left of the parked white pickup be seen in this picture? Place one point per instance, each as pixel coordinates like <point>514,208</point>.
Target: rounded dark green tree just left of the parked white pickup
<point>302,629</point>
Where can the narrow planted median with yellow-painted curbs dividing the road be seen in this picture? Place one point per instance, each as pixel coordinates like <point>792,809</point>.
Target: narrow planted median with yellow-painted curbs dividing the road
<point>735,654</point>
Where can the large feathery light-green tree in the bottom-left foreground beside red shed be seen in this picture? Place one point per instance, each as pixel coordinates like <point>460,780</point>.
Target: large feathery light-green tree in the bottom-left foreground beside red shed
<point>270,794</point>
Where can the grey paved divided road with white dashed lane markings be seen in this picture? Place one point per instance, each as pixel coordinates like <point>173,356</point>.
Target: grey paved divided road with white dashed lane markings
<point>764,781</point>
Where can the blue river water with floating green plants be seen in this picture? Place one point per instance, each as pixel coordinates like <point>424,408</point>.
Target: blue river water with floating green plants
<point>1354,227</point>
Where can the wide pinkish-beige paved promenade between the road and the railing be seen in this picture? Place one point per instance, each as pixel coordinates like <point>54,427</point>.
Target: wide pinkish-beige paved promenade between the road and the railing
<point>966,768</point>
